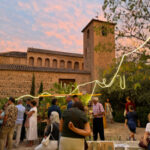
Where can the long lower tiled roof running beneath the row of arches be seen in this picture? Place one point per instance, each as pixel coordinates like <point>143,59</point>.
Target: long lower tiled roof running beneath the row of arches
<point>40,69</point>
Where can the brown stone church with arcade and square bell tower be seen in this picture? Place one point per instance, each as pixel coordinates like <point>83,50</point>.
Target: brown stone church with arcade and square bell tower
<point>48,66</point>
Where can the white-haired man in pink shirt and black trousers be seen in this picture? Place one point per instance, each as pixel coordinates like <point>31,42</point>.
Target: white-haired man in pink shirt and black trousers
<point>98,113</point>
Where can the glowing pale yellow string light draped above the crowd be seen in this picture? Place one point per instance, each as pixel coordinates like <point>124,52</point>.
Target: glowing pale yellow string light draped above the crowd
<point>102,84</point>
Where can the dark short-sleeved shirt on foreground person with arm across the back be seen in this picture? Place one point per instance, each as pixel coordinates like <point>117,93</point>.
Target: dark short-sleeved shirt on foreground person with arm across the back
<point>77,117</point>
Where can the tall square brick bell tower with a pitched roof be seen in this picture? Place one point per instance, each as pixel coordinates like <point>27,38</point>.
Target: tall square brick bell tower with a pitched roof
<point>98,46</point>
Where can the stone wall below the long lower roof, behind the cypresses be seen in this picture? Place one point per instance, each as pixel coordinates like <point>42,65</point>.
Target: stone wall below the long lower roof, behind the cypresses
<point>18,83</point>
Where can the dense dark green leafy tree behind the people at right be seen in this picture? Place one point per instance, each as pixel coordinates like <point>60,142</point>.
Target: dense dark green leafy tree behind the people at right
<point>137,87</point>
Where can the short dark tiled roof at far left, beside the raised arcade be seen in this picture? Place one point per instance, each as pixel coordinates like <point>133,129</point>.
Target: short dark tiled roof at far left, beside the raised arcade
<point>14,54</point>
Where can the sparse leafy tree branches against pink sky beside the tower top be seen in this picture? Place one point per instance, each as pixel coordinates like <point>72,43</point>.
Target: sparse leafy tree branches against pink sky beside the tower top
<point>132,18</point>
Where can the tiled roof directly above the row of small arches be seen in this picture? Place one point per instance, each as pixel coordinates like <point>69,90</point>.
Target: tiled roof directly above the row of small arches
<point>36,50</point>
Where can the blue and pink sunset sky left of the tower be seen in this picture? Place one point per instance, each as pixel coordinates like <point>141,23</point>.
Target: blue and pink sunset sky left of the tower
<point>46,24</point>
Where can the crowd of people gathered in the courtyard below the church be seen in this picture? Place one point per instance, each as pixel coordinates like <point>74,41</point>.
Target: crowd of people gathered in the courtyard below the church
<point>68,129</point>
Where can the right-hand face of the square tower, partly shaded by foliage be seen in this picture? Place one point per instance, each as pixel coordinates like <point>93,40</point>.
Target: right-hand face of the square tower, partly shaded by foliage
<point>105,52</point>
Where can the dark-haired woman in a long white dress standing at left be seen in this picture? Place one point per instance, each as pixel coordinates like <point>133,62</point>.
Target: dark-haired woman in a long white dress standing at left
<point>32,129</point>
